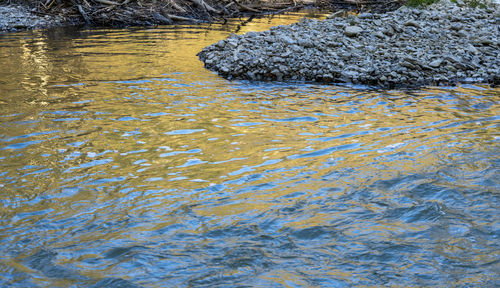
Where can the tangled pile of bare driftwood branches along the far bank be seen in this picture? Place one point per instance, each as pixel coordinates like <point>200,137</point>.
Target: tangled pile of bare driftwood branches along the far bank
<point>147,12</point>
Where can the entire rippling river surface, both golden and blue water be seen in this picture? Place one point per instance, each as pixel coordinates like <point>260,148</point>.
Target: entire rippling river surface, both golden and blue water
<point>123,163</point>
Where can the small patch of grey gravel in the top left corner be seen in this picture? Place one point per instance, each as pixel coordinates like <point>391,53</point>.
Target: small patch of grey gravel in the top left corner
<point>13,18</point>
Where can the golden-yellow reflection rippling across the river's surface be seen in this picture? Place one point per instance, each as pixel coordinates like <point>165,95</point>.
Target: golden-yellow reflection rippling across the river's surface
<point>127,132</point>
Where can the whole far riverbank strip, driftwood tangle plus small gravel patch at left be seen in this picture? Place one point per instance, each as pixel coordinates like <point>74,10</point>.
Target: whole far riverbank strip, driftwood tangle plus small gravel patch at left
<point>23,15</point>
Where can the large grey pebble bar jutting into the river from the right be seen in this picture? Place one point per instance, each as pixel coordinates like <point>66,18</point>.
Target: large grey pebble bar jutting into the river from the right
<point>444,43</point>
